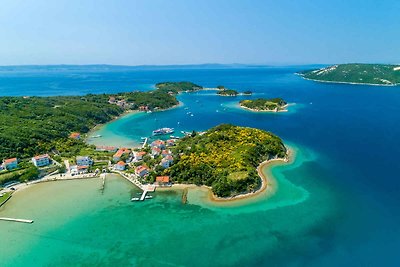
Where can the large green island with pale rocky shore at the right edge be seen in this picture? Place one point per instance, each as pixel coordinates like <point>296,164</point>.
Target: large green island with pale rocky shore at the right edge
<point>372,74</point>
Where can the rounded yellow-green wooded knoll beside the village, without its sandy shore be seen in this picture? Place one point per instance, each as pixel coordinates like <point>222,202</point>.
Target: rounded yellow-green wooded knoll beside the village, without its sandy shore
<point>225,158</point>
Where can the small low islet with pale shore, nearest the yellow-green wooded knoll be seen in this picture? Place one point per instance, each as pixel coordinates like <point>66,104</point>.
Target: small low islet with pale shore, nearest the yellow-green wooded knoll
<point>263,104</point>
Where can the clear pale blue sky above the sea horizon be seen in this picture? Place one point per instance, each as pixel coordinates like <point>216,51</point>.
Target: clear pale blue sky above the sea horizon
<point>164,32</point>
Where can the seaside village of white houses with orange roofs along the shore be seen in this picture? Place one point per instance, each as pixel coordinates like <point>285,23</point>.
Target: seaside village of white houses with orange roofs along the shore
<point>143,166</point>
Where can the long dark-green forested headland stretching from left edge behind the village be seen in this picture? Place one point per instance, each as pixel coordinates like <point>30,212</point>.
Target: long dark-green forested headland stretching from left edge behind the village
<point>34,125</point>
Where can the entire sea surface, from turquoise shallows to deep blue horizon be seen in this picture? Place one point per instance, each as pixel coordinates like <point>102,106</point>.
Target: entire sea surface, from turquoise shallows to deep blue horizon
<point>336,204</point>
